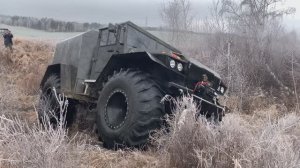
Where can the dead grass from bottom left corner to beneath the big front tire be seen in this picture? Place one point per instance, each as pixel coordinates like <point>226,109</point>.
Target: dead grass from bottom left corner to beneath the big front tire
<point>23,144</point>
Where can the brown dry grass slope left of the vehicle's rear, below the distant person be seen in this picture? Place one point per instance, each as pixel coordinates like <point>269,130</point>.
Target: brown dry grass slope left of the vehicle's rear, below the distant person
<point>20,75</point>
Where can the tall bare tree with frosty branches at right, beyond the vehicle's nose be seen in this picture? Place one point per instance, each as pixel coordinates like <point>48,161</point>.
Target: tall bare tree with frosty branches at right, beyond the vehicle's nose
<point>260,47</point>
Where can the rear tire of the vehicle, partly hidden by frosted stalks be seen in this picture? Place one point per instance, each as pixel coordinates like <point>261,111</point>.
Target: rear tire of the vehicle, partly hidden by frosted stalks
<point>47,100</point>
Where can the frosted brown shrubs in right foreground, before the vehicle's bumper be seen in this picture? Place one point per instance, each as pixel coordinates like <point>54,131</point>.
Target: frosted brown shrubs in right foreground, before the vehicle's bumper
<point>236,142</point>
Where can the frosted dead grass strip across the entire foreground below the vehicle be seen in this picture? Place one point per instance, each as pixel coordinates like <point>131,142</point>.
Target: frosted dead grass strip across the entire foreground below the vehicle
<point>261,140</point>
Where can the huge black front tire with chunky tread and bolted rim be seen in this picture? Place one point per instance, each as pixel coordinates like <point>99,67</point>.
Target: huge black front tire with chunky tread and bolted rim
<point>128,109</point>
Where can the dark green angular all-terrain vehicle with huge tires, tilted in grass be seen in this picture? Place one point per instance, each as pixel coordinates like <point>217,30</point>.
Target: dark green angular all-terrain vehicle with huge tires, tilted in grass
<point>122,72</point>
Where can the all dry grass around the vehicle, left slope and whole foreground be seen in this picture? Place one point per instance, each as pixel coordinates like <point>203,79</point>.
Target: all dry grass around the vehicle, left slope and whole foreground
<point>269,137</point>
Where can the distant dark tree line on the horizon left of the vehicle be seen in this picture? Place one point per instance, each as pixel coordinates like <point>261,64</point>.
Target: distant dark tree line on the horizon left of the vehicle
<point>48,24</point>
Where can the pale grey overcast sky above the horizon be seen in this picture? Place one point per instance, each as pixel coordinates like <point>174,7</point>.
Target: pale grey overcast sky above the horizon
<point>105,11</point>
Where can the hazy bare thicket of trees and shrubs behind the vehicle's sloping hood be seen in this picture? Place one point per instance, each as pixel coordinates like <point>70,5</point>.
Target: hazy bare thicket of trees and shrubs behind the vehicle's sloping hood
<point>245,41</point>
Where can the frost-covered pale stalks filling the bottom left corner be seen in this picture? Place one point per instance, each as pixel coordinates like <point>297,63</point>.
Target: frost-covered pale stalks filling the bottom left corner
<point>40,145</point>
